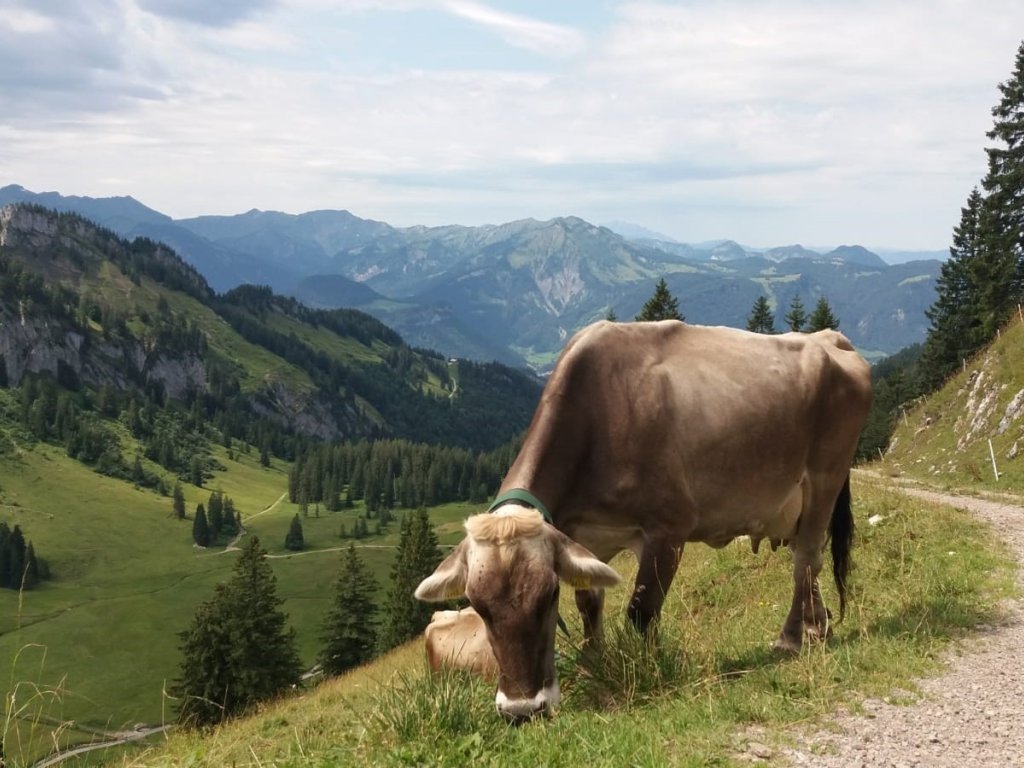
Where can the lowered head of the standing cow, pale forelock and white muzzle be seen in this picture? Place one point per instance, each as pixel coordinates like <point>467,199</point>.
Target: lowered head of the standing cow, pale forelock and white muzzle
<point>509,566</point>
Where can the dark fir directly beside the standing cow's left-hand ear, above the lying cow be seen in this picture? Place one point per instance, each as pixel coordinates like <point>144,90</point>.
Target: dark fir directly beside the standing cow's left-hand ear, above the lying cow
<point>418,556</point>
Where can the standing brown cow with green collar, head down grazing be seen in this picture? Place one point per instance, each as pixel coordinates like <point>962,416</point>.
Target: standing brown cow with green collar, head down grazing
<point>648,437</point>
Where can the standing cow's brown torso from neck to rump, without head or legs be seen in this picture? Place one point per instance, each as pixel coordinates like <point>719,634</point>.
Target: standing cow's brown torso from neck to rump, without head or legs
<point>654,425</point>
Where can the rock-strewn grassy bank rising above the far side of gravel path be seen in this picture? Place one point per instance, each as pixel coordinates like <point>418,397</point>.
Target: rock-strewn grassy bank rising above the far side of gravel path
<point>945,441</point>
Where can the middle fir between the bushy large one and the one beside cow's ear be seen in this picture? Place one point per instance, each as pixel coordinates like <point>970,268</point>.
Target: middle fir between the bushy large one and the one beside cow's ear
<point>350,634</point>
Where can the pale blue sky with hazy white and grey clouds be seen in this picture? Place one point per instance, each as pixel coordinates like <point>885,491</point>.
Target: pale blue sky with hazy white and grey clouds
<point>769,122</point>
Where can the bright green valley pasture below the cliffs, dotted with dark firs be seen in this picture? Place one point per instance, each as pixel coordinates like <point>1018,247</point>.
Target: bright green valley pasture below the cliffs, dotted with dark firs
<point>97,645</point>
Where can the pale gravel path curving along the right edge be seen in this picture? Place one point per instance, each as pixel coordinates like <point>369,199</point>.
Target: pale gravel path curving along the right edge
<point>970,716</point>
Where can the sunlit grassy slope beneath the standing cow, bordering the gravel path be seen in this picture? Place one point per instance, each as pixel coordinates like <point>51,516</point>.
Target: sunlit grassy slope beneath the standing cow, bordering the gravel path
<point>691,703</point>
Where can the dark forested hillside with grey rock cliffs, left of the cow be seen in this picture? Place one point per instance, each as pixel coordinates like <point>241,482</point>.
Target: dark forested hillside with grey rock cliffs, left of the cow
<point>139,328</point>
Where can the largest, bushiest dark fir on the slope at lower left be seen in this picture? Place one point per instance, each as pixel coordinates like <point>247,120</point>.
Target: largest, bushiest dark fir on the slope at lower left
<point>238,652</point>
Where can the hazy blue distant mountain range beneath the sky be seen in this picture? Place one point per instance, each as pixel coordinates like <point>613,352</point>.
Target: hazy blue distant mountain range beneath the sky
<point>516,292</point>
